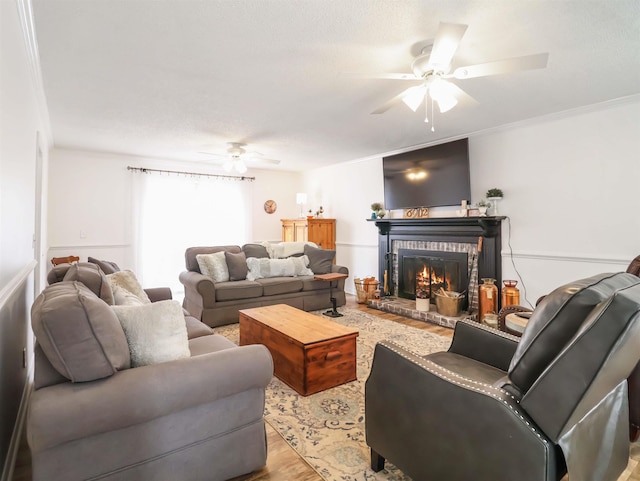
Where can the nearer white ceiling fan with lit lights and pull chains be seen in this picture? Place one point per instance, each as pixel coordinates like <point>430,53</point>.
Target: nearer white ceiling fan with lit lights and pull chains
<point>433,69</point>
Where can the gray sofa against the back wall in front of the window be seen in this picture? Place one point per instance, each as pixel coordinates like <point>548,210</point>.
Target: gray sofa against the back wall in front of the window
<point>218,303</point>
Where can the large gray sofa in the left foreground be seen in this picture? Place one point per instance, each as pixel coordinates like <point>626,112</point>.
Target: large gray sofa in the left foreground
<point>93,416</point>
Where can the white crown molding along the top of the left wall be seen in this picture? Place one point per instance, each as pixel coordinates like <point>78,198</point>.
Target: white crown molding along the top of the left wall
<point>25,15</point>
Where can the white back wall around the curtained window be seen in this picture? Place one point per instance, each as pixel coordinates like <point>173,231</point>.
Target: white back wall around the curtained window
<point>91,195</point>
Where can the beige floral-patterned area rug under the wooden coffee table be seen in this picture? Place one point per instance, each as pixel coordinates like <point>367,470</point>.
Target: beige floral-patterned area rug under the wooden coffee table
<point>327,429</point>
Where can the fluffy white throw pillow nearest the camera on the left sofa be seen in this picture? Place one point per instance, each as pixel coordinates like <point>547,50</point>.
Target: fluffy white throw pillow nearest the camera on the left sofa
<point>155,332</point>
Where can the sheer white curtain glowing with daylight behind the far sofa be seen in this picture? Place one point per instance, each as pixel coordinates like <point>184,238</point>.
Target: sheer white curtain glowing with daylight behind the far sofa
<point>176,211</point>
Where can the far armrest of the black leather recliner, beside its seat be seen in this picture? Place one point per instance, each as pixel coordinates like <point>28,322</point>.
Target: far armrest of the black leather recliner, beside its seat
<point>484,344</point>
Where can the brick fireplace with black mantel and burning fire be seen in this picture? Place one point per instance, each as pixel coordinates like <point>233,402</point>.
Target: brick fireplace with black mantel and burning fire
<point>461,251</point>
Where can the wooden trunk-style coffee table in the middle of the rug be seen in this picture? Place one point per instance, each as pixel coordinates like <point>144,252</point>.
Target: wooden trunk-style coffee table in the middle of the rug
<point>310,353</point>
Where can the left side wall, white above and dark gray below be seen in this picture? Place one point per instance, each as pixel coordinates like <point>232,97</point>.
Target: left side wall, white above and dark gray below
<point>23,124</point>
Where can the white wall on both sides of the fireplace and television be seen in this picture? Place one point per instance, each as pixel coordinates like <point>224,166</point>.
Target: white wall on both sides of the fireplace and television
<point>571,194</point>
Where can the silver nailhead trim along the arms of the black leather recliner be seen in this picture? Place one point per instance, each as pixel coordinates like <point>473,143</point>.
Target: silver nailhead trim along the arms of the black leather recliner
<point>450,375</point>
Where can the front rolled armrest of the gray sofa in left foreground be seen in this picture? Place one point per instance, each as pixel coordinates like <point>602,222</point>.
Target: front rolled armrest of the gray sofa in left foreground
<point>70,411</point>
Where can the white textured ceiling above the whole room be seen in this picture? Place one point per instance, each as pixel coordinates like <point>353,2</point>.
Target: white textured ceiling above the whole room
<point>170,78</point>
